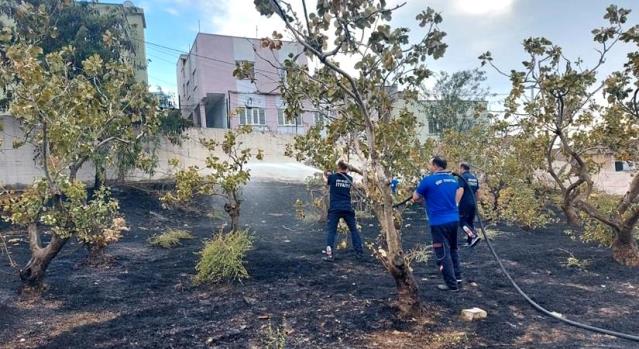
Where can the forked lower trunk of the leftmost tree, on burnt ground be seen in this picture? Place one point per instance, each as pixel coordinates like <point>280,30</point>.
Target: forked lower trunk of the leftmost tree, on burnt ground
<point>33,273</point>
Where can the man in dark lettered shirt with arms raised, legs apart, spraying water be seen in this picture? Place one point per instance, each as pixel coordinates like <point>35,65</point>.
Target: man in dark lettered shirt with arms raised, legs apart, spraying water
<point>340,206</point>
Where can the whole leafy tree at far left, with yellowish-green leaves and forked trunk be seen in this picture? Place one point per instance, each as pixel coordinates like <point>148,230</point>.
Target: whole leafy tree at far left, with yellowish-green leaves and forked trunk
<point>69,119</point>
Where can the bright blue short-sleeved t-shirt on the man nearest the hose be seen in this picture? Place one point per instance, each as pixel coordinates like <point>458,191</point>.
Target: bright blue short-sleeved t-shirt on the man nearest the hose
<point>439,191</point>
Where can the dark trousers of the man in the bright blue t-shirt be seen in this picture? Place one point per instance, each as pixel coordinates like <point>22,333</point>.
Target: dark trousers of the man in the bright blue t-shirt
<point>446,255</point>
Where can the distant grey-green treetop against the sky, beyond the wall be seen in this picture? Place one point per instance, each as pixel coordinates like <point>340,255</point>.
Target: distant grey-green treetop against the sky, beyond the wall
<point>456,102</point>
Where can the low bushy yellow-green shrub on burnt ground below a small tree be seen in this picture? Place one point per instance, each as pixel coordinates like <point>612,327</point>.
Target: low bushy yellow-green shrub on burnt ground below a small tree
<point>223,258</point>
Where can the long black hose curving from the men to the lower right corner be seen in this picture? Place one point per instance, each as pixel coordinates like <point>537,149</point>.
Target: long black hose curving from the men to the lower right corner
<point>527,298</point>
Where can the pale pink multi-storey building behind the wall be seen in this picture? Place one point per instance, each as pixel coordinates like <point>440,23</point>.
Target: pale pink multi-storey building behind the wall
<point>211,96</point>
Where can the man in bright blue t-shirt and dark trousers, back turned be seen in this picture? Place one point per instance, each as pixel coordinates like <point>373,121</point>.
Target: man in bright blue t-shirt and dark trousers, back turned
<point>441,193</point>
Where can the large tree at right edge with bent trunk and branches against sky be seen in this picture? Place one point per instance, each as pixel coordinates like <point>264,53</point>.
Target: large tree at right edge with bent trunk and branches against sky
<point>563,112</point>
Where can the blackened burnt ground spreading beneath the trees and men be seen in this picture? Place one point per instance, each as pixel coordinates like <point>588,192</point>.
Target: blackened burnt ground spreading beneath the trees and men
<point>145,299</point>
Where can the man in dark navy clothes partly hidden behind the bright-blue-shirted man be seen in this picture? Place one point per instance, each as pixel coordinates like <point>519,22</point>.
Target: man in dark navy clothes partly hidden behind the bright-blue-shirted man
<point>468,204</point>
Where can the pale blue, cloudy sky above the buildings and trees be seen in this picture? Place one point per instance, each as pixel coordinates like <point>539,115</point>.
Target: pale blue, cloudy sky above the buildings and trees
<point>472,27</point>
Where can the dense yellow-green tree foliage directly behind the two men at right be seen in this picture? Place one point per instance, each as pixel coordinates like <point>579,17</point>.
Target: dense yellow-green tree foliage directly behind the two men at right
<point>511,190</point>
